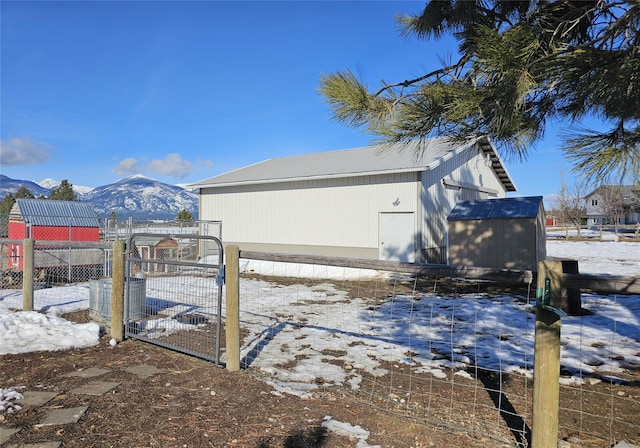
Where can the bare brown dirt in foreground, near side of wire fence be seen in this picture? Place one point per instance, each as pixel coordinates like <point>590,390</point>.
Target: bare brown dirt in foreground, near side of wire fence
<point>192,403</point>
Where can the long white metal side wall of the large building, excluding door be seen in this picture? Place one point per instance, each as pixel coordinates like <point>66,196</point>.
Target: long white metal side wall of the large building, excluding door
<point>330,212</point>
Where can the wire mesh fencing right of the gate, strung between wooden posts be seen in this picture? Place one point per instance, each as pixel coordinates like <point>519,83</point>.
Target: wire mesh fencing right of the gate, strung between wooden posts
<point>453,354</point>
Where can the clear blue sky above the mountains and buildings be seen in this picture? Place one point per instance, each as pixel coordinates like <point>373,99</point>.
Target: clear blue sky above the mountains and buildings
<point>181,91</point>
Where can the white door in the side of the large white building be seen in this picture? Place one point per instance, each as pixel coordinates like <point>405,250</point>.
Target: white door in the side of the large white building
<point>397,237</point>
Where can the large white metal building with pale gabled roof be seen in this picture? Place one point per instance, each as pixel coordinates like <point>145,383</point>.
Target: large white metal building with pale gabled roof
<point>386,202</point>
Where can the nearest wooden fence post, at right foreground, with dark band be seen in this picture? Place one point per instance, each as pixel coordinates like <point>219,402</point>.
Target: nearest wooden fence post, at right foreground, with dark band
<point>546,362</point>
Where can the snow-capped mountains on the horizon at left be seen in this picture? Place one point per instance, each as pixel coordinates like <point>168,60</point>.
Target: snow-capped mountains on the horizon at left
<point>136,196</point>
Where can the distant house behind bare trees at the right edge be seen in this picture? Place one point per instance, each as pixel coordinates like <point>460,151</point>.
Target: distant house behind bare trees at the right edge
<point>613,204</point>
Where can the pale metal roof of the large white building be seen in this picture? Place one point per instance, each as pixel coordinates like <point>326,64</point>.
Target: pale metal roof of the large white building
<point>417,155</point>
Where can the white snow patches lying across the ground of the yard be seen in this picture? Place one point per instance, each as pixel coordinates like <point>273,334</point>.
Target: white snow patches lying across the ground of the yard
<point>429,332</point>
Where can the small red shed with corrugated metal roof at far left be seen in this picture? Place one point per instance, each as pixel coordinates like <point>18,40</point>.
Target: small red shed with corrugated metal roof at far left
<point>49,220</point>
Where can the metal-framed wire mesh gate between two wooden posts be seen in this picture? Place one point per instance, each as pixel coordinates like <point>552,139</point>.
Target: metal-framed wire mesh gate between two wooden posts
<point>173,292</point>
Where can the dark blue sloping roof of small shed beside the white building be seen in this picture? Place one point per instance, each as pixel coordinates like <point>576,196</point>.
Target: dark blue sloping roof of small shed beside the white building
<point>502,208</point>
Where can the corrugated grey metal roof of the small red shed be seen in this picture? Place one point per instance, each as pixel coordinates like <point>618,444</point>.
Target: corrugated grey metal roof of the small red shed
<point>47,212</point>
